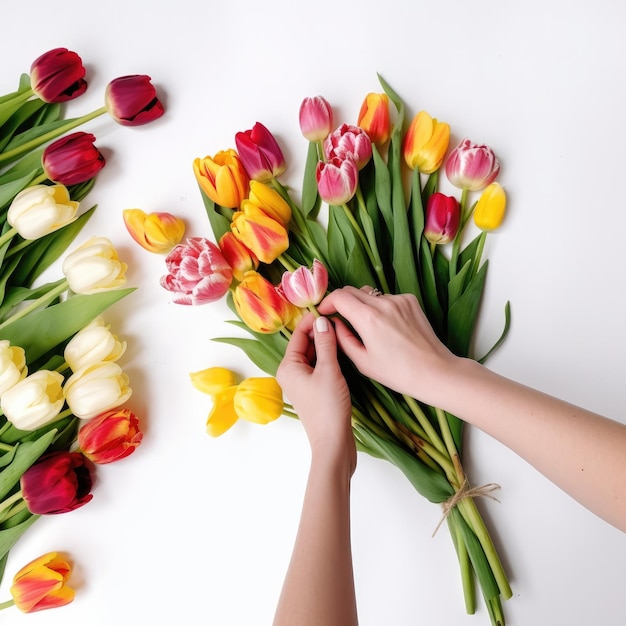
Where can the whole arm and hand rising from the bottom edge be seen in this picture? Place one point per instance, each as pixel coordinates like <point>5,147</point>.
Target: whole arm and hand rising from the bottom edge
<point>319,585</point>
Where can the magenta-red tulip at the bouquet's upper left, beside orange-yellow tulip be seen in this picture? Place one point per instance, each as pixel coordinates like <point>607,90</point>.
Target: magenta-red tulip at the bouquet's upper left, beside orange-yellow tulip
<point>260,153</point>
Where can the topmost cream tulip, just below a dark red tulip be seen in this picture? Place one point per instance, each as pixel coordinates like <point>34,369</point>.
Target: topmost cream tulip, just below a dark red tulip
<point>41,209</point>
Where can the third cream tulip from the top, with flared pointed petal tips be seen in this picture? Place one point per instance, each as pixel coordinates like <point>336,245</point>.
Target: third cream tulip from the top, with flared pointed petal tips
<point>93,344</point>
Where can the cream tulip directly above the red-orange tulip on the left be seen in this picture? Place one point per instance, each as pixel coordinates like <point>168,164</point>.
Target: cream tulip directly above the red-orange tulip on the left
<point>95,389</point>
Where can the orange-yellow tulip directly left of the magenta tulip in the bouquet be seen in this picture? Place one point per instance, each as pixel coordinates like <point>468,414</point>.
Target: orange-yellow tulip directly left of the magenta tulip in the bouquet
<point>222,178</point>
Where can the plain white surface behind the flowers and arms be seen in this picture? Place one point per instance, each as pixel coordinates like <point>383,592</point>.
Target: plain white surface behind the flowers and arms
<point>194,530</point>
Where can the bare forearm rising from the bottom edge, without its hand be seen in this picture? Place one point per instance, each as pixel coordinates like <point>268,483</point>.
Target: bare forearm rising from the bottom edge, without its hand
<point>319,585</point>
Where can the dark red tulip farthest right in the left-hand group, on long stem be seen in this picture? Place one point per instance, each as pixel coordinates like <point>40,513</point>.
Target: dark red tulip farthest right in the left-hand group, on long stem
<point>132,100</point>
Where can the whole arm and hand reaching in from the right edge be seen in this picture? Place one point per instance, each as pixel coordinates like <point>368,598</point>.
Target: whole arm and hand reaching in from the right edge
<point>581,452</point>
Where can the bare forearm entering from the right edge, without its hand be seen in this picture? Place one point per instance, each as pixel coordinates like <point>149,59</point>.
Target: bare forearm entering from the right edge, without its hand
<point>580,451</point>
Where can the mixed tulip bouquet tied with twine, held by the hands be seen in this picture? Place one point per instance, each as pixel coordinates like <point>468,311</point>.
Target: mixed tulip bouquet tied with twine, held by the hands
<point>386,224</point>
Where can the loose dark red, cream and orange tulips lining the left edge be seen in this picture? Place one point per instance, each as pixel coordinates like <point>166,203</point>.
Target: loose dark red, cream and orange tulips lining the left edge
<point>61,387</point>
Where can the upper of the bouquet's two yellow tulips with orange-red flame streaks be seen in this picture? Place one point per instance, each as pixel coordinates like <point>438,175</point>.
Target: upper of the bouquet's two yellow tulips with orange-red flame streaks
<point>265,236</point>
